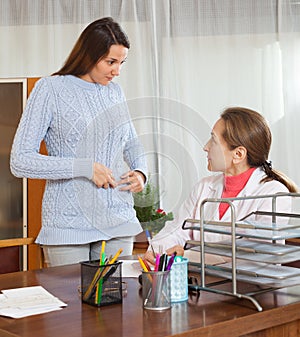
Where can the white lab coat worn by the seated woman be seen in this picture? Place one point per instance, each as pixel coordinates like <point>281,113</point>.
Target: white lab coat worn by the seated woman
<point>211,187</point>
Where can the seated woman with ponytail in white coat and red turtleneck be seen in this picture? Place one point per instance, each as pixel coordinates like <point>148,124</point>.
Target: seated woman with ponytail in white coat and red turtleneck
<point>238,148</point>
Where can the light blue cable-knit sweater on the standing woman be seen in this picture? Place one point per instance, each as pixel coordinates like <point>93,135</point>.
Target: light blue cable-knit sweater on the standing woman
<point>81,123</point>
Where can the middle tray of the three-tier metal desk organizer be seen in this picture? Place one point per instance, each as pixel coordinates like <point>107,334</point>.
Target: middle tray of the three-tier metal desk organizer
<point>253,250</point>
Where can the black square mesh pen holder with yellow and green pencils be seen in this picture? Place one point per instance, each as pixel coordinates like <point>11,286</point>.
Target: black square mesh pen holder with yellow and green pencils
<point>101,285</point>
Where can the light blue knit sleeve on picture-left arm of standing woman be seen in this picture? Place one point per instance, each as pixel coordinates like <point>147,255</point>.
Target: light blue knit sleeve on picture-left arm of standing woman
<point>25,159</point>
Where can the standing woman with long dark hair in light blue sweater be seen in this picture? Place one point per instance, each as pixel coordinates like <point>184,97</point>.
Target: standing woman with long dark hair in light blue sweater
<point>83,118</point>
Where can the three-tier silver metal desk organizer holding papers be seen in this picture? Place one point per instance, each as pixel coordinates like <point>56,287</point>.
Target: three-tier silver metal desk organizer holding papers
<point>252,248</point>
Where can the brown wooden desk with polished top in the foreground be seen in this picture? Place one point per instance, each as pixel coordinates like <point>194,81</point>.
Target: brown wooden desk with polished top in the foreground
<point>211,315</point>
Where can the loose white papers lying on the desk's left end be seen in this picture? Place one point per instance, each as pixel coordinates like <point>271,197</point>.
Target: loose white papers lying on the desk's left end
<point>27,301</point>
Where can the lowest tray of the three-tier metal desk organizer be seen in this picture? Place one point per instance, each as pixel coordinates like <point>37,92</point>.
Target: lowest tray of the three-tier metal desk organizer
<point>258,273</point>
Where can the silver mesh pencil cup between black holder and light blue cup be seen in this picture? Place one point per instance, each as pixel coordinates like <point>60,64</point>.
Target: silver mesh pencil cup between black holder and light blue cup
<point>156,290</point>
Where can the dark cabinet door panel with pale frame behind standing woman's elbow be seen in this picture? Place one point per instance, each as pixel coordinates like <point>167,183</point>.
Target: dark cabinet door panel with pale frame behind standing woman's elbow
<point>13,198</point>
